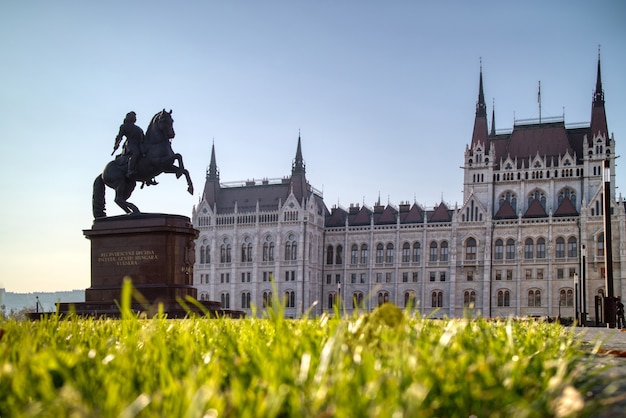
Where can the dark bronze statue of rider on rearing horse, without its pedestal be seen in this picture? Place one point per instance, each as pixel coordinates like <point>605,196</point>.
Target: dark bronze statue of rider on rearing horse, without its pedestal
<point>142,159</point>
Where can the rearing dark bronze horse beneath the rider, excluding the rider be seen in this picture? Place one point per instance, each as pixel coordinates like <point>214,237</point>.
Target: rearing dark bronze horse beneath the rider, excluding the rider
<point>157,158</point>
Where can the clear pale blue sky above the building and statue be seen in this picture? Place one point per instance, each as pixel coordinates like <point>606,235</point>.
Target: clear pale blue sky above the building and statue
<point>383,93</point>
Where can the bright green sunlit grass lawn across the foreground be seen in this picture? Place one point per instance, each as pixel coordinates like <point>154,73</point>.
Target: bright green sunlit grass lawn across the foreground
<point>384,364</point>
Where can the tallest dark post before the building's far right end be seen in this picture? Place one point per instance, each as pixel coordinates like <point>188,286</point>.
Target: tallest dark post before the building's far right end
<point>609,299</point>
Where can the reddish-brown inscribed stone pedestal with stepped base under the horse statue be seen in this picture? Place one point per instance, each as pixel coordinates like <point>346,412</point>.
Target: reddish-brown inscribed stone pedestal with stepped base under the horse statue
<point>156,251</point>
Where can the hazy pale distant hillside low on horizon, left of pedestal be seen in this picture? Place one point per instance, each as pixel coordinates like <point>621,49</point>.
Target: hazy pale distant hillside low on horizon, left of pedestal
<point>47,300</point>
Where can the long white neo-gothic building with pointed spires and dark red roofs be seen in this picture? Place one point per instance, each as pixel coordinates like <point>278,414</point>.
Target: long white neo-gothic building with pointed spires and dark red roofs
<point>530,229</point>
